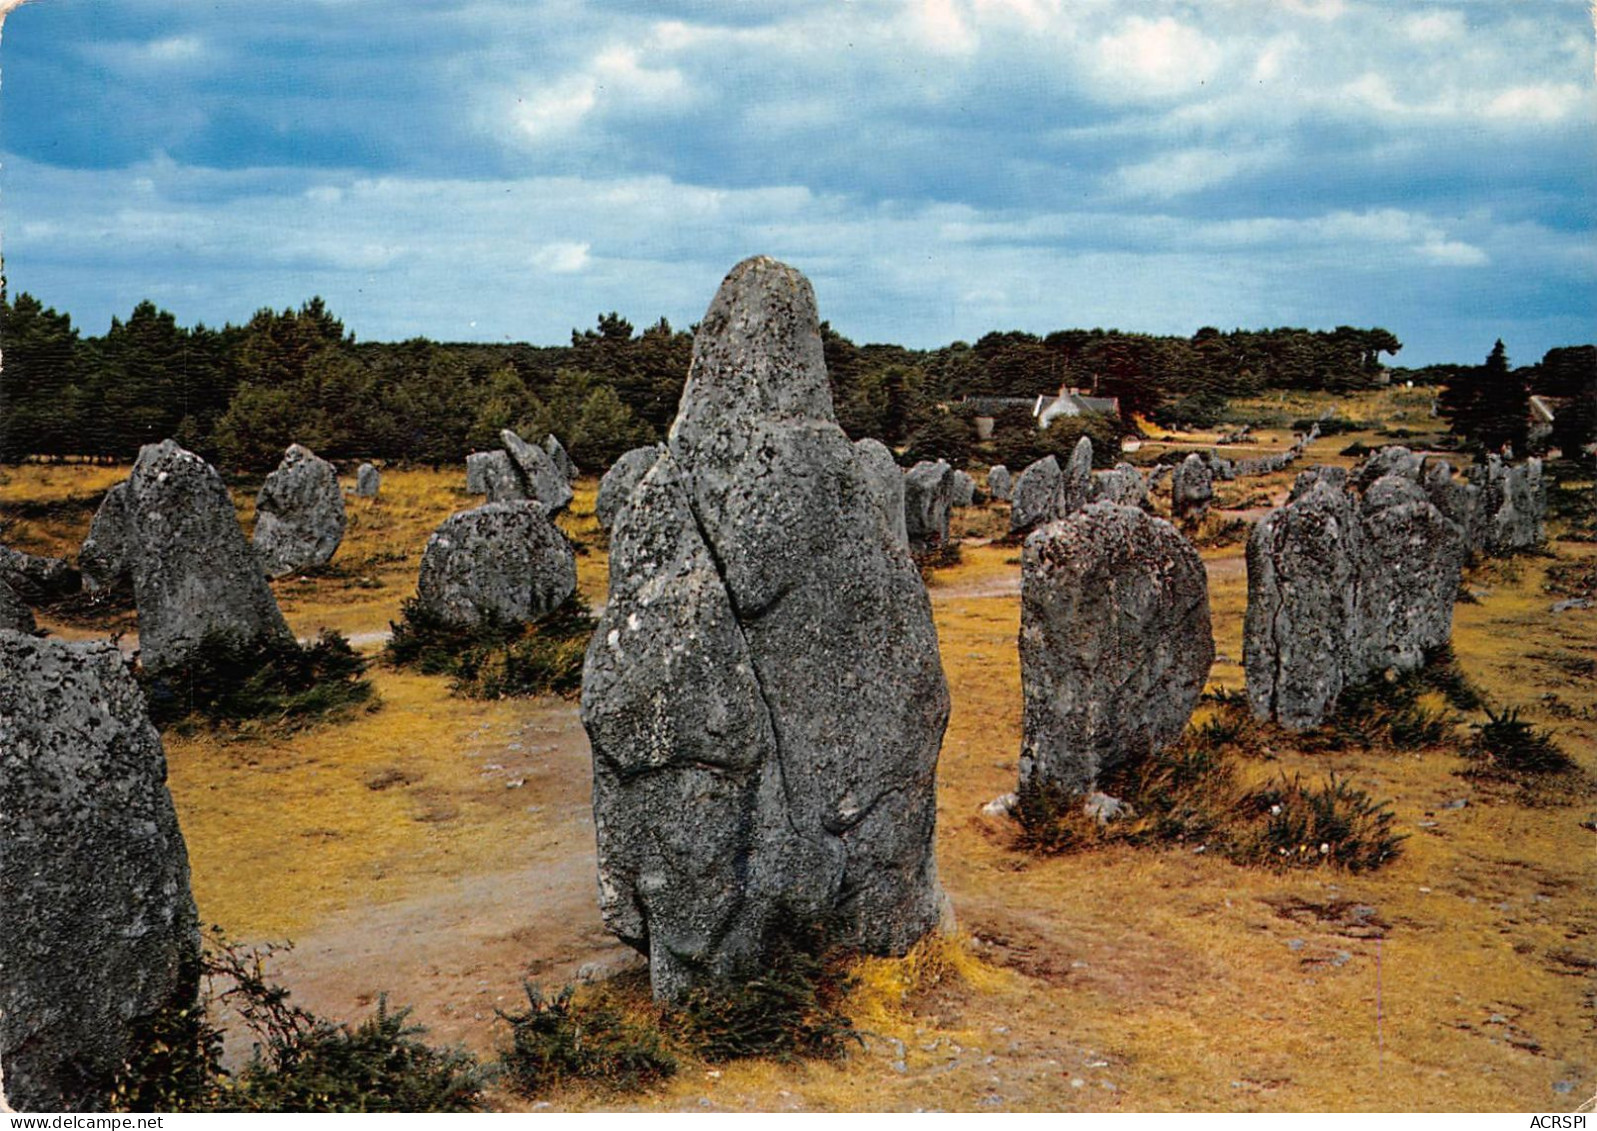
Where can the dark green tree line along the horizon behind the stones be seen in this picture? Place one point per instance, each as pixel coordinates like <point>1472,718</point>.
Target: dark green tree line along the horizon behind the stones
<point>239,395</point>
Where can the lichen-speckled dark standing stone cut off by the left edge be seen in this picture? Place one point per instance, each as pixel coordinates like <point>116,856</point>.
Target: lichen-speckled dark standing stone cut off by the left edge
<point>101,929</point>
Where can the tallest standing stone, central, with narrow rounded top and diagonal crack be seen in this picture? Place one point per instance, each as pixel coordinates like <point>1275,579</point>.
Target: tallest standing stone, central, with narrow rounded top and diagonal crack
<point>767,664</point>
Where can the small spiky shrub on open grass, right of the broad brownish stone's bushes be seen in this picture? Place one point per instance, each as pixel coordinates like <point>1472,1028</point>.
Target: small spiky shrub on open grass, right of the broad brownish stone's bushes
<point>1333,823</point>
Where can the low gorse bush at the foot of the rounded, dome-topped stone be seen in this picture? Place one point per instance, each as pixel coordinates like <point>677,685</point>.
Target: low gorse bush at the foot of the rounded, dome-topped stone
<point>496,659</point>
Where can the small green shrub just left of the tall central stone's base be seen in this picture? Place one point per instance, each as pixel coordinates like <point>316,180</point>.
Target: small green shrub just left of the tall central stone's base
<point>558,1042</point>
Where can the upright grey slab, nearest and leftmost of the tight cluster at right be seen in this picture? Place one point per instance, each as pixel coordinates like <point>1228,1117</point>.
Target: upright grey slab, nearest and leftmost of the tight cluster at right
<point>1302,605</point>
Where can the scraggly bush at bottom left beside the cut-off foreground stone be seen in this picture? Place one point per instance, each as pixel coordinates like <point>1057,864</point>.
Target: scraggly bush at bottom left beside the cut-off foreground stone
<point>301,1063</point>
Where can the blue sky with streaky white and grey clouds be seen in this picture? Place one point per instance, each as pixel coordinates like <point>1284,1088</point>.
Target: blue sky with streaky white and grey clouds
<point>494,170</point>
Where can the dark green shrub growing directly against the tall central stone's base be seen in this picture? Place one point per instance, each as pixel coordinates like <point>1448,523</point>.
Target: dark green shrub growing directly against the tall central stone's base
<point>791,1010</point>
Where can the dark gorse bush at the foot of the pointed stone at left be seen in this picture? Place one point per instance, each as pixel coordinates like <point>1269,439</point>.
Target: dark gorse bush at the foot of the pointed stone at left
<point>280,683</point>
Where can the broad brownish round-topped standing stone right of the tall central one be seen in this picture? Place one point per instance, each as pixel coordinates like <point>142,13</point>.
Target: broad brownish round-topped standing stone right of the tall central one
<point>1116,645</point>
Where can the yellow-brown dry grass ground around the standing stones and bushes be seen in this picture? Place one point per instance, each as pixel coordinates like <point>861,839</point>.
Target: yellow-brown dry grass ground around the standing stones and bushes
<point>442,851</point>
